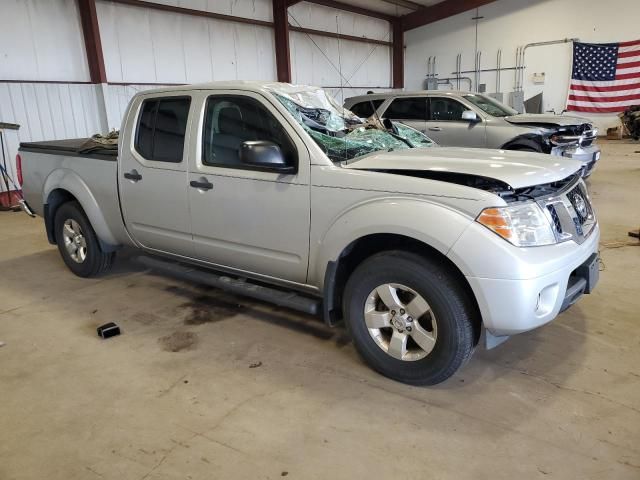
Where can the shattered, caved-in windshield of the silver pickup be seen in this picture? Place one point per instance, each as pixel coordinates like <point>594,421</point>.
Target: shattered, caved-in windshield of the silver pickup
<point>340,133</point>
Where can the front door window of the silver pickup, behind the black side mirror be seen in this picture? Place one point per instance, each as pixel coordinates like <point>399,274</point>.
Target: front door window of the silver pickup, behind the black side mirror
<point>232,120</point>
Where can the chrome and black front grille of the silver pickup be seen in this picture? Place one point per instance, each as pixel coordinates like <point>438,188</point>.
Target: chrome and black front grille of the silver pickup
<point>570,212</point>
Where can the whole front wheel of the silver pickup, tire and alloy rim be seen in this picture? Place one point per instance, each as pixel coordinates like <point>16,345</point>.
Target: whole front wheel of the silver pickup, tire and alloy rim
<point>409,317</point>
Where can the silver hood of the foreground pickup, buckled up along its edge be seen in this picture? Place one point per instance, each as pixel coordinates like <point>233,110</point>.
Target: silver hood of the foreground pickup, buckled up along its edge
<point>517,169</point>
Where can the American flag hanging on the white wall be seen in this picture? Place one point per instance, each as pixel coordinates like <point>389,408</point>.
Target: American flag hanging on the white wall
<point>589,93</point>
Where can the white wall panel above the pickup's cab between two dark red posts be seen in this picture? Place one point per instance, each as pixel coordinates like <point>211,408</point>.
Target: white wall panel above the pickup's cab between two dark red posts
<point>175,48</point>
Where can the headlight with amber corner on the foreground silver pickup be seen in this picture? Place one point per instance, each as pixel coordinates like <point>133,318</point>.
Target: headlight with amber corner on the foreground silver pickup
<point>523,225</point>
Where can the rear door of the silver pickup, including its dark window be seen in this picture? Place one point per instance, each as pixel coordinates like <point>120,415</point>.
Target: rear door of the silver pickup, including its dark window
<point>153,174</point>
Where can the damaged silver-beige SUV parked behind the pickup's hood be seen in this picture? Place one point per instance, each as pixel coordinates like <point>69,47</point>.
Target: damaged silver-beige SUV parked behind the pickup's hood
<point>465,119</point>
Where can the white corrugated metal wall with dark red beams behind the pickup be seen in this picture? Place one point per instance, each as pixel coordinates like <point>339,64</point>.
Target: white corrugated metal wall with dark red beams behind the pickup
<point>41,40</point>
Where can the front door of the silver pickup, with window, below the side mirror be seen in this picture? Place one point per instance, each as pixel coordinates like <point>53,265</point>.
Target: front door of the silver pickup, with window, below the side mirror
<point>245,217</point>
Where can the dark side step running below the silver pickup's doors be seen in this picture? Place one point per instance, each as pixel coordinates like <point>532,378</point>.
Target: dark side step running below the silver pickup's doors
<point>229,284</point>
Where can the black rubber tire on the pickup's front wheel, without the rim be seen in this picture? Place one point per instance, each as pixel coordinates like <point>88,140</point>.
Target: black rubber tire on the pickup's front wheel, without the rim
<point>453,310</point>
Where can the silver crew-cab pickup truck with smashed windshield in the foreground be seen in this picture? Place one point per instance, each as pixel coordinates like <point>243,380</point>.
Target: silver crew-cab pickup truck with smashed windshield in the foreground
<point>275,192</point>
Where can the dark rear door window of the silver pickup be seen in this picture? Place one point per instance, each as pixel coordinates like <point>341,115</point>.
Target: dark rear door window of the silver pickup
<point>161,128</point>
